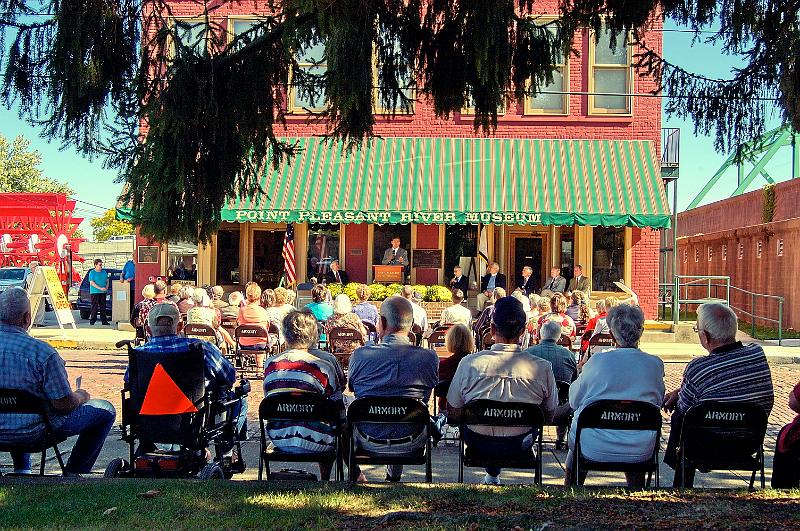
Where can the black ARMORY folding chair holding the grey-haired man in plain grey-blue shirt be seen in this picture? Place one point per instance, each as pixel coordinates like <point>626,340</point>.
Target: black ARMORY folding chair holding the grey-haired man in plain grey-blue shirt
<point>383,411</point>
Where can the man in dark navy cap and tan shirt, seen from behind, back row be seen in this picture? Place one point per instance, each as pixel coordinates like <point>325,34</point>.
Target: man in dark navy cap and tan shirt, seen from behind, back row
<point>503,373</point>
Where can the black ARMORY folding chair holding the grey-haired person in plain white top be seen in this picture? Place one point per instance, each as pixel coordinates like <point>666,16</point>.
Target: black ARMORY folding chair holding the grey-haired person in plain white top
<point>625,415</point>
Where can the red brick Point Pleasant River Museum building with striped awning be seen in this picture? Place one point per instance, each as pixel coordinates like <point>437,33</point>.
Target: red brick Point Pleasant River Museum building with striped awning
<point>565,179</point>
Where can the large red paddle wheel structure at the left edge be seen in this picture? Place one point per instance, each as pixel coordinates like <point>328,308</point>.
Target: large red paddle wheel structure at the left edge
<point>39,227</point>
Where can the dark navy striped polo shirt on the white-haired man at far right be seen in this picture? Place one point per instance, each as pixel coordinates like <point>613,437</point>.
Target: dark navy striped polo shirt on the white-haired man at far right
<point>731,373</point>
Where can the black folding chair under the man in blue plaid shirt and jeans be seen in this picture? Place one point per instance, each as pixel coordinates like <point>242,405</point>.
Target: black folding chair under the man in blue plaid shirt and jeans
<point>19,402</point>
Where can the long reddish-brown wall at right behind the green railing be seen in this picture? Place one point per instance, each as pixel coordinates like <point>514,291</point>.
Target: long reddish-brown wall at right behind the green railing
<point>730,238</point>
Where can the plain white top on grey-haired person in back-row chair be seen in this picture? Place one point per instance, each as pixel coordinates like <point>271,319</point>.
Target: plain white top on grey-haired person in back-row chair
<point>617,374</point>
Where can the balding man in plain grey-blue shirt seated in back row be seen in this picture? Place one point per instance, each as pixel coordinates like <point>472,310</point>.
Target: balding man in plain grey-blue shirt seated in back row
<point>393,367</point>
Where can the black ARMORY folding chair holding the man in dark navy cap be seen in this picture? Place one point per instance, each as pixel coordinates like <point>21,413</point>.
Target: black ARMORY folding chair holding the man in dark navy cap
<point>502,414</point>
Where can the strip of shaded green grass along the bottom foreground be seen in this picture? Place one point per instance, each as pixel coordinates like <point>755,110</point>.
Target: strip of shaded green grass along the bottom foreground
<point>224,504</point>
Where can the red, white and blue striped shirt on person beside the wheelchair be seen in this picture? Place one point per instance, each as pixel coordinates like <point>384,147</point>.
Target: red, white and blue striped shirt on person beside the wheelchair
<point>299,370</point>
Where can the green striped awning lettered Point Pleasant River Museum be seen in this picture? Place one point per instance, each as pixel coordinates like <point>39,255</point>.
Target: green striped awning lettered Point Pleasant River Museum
<point>463,180</point>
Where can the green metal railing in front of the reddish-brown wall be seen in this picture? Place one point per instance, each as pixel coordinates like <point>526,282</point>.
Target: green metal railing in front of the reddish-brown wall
<point>698,289</point>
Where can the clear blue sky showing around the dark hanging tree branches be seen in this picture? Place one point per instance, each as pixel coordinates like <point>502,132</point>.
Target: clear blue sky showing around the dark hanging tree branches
<point>95,186</point>
